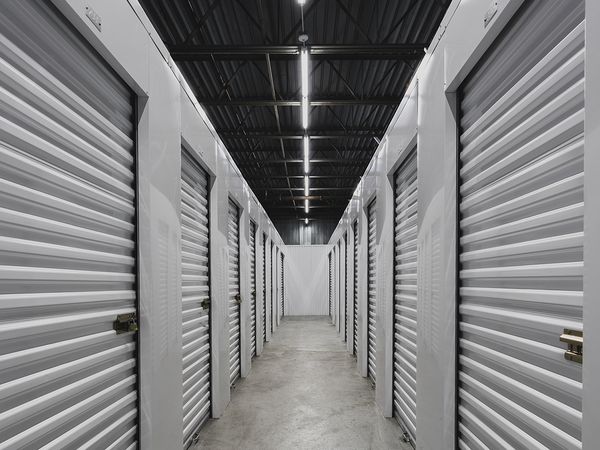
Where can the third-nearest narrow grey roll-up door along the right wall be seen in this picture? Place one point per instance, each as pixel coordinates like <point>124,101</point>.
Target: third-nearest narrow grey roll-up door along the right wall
<point>372,292</point>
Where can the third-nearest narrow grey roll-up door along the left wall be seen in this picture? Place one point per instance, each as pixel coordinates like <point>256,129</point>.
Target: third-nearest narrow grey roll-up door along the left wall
<point>233,242</point>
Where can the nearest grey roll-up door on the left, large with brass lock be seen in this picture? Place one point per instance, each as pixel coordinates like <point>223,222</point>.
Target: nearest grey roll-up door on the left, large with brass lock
<point>67,238</point>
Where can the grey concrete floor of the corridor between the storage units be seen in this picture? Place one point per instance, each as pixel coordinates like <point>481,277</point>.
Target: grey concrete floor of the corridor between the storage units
<point>303,392</point>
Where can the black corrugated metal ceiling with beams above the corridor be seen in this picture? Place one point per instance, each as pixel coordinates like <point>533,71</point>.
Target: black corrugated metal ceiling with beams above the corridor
<point>241,59</point>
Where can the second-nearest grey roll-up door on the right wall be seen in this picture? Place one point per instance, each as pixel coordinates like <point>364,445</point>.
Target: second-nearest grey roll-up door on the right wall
<point>405,295</point>
